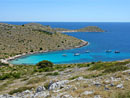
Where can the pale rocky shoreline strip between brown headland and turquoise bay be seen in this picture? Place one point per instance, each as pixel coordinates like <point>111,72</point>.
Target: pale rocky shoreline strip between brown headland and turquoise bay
<point>5,61</point>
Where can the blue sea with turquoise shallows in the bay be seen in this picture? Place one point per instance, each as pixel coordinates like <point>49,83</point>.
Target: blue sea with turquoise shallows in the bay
<point>116,37</point>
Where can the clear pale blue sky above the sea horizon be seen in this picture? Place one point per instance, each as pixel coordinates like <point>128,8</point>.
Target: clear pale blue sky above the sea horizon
<point>65,10</point>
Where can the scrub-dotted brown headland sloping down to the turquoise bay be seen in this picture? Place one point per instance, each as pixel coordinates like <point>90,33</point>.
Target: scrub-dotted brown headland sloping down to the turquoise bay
<point>32,37</point>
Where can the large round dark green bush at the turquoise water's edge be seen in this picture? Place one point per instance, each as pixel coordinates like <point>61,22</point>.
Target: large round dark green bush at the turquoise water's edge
<point>45,64</point>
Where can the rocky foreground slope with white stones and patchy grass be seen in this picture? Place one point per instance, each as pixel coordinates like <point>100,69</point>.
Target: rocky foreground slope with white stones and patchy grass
<point>88,80</point>
